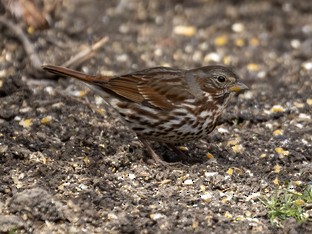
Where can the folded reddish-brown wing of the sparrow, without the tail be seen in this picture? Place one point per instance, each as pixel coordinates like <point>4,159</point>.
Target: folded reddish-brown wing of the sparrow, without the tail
<point>162,88</point>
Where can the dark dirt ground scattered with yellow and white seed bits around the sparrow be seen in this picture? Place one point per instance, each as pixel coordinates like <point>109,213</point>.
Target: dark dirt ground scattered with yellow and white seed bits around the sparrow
<point>69,165</point>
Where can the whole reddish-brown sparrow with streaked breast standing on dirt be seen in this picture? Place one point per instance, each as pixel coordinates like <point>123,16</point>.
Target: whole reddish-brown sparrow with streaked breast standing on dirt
<point>164,104</point>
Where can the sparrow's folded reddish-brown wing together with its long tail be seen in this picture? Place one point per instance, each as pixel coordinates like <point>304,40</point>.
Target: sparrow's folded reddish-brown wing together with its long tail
<point>163,88</point>
